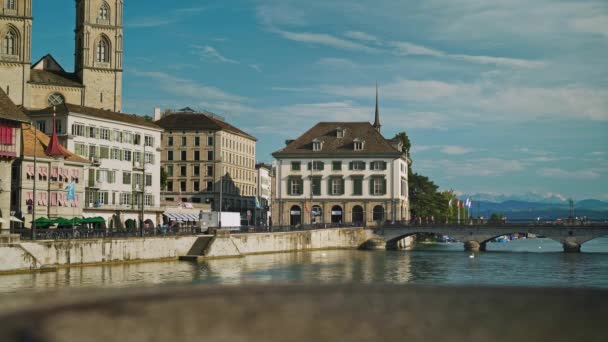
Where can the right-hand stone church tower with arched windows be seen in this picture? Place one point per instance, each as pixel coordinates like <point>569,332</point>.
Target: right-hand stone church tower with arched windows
<point>98,64</point>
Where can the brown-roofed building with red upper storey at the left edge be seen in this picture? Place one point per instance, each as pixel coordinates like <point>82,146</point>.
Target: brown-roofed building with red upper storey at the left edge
<point>11,119</point>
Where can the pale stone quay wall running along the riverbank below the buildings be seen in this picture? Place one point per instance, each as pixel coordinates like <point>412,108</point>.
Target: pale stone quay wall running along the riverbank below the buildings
<point>40,255</point>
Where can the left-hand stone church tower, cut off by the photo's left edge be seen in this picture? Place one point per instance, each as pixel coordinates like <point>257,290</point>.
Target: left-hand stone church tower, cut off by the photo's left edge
<point>15,48</point>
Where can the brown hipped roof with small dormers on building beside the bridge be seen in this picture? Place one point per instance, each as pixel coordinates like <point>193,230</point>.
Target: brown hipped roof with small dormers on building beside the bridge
<point>375,143</point>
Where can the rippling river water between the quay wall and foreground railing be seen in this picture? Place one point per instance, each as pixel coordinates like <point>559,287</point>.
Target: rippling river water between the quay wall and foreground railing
<point>526,262</point>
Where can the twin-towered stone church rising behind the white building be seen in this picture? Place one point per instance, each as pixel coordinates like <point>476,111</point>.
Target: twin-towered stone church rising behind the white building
<point>97,79</point>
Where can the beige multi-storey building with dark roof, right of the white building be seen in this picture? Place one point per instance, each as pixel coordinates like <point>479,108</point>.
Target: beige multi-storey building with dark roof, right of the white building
<point>202,152</point>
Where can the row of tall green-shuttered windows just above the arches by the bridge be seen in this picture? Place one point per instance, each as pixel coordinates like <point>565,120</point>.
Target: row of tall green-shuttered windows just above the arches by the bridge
<point>336,186</point>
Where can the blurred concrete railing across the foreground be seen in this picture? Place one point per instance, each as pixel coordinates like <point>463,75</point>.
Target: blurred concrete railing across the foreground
<point>307,313</point>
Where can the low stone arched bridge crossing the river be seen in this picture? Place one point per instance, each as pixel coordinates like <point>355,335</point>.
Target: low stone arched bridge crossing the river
<point>475,237</point>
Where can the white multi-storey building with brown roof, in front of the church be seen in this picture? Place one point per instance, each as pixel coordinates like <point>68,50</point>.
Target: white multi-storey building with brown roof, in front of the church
<point>124,150</point>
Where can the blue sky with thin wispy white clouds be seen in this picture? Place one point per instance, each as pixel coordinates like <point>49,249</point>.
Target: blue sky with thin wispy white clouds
<point>500,97</point>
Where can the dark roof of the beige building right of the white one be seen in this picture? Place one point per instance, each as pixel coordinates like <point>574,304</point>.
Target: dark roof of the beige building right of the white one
<point>198,122</point>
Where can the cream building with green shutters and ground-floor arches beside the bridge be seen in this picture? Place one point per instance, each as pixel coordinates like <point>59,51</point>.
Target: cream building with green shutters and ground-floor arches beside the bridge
<point>341,172</point>
